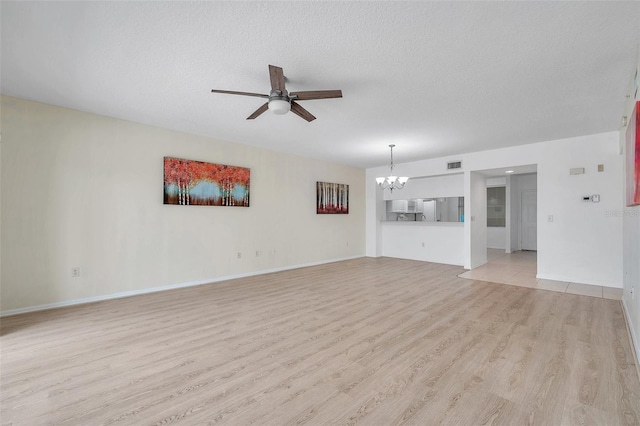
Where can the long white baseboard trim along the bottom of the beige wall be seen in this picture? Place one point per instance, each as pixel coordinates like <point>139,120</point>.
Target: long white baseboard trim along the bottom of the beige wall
<point>163,288</point>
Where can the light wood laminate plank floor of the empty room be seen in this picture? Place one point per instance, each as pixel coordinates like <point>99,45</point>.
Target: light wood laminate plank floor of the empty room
<point>367,341</point>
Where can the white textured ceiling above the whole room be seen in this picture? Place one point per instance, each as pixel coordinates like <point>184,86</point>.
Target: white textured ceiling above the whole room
<point>435,78</point>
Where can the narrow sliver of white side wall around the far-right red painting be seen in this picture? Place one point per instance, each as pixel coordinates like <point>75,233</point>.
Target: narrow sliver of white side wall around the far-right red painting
<point>631,241</point>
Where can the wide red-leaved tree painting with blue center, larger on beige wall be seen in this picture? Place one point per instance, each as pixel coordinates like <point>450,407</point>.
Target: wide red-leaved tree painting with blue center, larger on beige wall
<point>190,183</point>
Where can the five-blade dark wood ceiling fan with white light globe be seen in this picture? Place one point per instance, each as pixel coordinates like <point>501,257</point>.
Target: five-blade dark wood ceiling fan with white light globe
<point>280,101</point>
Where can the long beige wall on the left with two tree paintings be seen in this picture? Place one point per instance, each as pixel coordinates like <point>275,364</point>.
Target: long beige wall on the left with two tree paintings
<point>84,190</point>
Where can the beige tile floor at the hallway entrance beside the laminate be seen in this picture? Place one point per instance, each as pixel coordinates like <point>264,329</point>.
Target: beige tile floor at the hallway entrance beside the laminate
<point>520,268</point>
